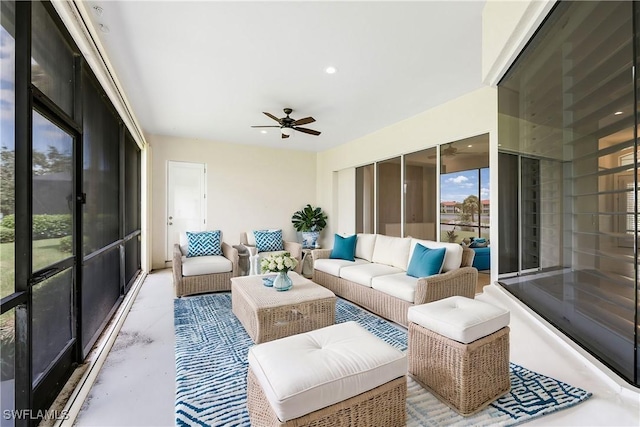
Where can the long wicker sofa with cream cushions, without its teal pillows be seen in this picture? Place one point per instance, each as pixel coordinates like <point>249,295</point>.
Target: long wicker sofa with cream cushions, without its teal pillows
<point>377,279</point>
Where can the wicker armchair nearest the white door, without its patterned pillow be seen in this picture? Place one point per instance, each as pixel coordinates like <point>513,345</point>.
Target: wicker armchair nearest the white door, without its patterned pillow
<point>203,274</point>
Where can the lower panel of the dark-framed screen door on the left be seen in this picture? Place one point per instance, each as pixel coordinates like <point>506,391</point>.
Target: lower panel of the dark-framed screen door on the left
<point>52,320</point>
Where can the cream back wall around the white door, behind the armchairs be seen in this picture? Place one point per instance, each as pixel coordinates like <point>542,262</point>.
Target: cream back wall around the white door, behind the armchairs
<point>248,187</point>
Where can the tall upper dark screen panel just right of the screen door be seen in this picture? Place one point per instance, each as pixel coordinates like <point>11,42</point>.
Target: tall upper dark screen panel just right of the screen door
<point>101,170</point>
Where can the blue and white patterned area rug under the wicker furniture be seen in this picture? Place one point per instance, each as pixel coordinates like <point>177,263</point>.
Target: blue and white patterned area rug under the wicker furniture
<point>211,369</point>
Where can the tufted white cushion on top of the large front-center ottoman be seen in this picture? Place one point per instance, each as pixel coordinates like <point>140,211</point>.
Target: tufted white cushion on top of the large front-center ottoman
<point>306,372</point>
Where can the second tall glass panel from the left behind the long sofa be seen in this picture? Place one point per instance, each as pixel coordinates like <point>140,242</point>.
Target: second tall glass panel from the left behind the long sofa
<point>389,197</point>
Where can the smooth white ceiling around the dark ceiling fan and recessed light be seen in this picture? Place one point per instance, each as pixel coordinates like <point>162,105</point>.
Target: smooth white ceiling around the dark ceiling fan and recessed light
<point>208,69</point>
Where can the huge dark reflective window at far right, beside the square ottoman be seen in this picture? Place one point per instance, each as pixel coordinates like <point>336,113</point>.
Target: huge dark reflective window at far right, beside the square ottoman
<point>569,103</point>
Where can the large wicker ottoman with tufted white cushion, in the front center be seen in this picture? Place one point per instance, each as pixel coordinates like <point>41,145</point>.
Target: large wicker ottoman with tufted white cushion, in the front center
<point>337,375</point>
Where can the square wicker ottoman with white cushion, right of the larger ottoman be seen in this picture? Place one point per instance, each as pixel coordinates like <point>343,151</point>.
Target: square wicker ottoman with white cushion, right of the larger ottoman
<point>459,350</point>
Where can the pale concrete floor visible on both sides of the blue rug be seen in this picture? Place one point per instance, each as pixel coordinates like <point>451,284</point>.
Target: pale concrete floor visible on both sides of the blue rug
<point>137,383</point>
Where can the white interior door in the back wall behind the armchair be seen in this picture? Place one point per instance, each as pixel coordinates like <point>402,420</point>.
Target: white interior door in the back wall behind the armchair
<point>186,207</point>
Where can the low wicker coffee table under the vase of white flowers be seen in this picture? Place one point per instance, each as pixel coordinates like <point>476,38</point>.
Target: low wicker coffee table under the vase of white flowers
<point>267,314</point>
